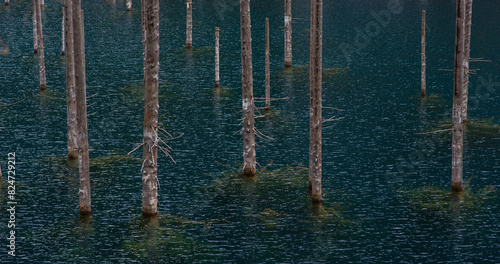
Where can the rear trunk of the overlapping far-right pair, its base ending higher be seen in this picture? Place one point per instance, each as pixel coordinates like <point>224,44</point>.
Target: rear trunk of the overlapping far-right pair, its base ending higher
<point>468,25</point>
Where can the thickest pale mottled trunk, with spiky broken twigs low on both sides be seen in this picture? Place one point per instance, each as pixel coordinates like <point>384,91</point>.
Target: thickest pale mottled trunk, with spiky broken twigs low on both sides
<point>151,107</point>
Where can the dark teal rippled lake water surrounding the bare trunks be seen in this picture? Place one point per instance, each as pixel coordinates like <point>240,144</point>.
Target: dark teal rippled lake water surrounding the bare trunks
<point>376,161</point>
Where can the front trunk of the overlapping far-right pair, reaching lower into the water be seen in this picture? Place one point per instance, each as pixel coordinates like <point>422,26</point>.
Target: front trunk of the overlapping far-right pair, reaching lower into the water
<point>459,83</point>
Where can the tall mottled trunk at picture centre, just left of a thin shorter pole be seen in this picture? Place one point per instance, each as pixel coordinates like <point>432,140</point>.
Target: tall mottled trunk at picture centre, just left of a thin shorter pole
<point>249,162</point>
